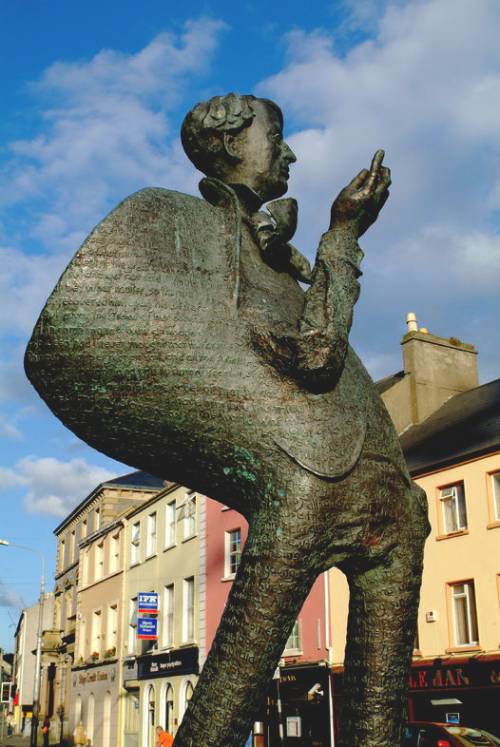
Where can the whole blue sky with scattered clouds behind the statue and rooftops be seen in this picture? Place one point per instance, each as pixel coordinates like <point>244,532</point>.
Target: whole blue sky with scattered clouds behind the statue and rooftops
<point>92,98</point>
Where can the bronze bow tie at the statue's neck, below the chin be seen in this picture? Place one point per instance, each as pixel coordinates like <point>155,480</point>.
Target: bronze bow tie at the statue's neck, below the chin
<point>272,231</point>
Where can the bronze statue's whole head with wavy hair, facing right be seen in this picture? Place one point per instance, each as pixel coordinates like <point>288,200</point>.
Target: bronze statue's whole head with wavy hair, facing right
<point>239,140</point>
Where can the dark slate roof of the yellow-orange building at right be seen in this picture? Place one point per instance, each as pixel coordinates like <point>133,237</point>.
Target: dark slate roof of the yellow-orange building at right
<point>466,426</point>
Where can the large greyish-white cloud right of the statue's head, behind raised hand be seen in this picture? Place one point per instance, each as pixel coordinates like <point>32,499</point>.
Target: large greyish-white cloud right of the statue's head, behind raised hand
<point>426,87</point>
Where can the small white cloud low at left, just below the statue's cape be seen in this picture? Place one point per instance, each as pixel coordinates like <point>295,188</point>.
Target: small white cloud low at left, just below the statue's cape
<point>53,486</point>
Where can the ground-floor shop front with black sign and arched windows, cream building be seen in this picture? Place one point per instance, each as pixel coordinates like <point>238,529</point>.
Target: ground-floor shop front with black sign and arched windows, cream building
<point>165,685</point>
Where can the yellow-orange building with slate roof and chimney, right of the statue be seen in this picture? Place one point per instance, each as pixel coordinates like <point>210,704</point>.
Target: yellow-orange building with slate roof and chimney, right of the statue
<point>450,433</point>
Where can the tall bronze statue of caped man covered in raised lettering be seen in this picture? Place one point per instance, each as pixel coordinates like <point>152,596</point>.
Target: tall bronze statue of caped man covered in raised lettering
<point>180,341</point>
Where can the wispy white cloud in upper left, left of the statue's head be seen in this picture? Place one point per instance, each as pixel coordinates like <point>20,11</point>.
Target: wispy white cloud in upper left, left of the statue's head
<point>107,132</point>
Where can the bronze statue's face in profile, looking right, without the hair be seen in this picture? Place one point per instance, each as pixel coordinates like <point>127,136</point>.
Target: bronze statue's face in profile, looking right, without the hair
<point>264,156</point>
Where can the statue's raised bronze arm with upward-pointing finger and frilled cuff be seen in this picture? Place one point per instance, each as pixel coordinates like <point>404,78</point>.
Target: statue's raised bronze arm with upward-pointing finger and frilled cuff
<point>315,353</point>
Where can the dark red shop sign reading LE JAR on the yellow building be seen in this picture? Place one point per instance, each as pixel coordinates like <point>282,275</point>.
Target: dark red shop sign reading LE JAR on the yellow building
<point>473,674</point>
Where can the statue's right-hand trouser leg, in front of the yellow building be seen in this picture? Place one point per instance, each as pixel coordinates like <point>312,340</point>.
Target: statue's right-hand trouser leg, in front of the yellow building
<point>380,638</point>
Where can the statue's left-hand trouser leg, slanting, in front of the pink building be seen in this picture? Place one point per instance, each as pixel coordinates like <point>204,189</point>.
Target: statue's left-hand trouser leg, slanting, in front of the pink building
<point>267,595</point>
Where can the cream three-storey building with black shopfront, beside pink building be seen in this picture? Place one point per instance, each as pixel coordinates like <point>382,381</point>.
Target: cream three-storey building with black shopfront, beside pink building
<point>163,555</point>
